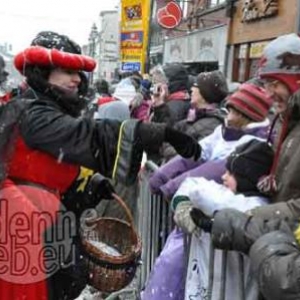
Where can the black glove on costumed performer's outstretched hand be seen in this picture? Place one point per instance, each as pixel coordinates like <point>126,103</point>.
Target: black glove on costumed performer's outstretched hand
<point>185,145</point>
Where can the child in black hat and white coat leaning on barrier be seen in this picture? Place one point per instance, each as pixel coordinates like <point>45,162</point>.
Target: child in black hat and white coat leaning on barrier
<point>244,168</point>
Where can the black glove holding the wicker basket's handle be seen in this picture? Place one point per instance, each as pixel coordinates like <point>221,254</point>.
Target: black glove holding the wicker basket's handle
<point>99,188</point>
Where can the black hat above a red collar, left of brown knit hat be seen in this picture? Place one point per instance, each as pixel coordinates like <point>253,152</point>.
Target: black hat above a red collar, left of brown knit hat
<point>177,75</point>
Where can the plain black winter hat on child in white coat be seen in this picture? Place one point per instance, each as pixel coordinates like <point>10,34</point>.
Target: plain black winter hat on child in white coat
<point>248,163</point>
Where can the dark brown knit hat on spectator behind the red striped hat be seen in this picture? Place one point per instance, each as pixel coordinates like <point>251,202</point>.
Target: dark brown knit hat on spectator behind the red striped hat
<point>213,86</point>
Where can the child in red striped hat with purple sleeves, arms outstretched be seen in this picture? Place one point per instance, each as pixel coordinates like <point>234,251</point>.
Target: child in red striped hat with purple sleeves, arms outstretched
<point>246,119</point>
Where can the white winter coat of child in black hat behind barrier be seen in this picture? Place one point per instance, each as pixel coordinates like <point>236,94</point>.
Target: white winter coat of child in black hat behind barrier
<point>210,196</point>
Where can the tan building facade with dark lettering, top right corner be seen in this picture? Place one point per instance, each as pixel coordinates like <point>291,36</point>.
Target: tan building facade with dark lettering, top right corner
<point>253,26</point>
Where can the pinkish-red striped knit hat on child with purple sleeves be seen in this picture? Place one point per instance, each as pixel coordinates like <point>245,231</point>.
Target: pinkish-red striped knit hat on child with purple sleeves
<point>251,101</point>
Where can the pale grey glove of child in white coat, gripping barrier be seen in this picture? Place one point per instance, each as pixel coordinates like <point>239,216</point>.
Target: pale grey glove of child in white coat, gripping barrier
<point>182,216</point>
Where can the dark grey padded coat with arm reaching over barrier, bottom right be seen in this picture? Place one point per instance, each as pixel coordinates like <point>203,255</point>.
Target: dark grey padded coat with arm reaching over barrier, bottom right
<point>271,246</point>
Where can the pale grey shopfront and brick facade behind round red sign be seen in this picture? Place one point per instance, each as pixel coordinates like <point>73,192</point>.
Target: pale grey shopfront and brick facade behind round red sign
<point>199,41</point>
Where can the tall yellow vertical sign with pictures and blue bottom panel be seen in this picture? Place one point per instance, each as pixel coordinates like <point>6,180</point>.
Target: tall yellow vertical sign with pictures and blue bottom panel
<point>134,34</point>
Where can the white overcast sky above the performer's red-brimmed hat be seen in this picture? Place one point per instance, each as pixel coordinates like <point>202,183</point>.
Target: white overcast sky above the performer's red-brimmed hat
<point>21,20</point>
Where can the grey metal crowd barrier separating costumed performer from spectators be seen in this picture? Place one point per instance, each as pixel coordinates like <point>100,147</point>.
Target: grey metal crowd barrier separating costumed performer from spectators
<point>154,223</point>
